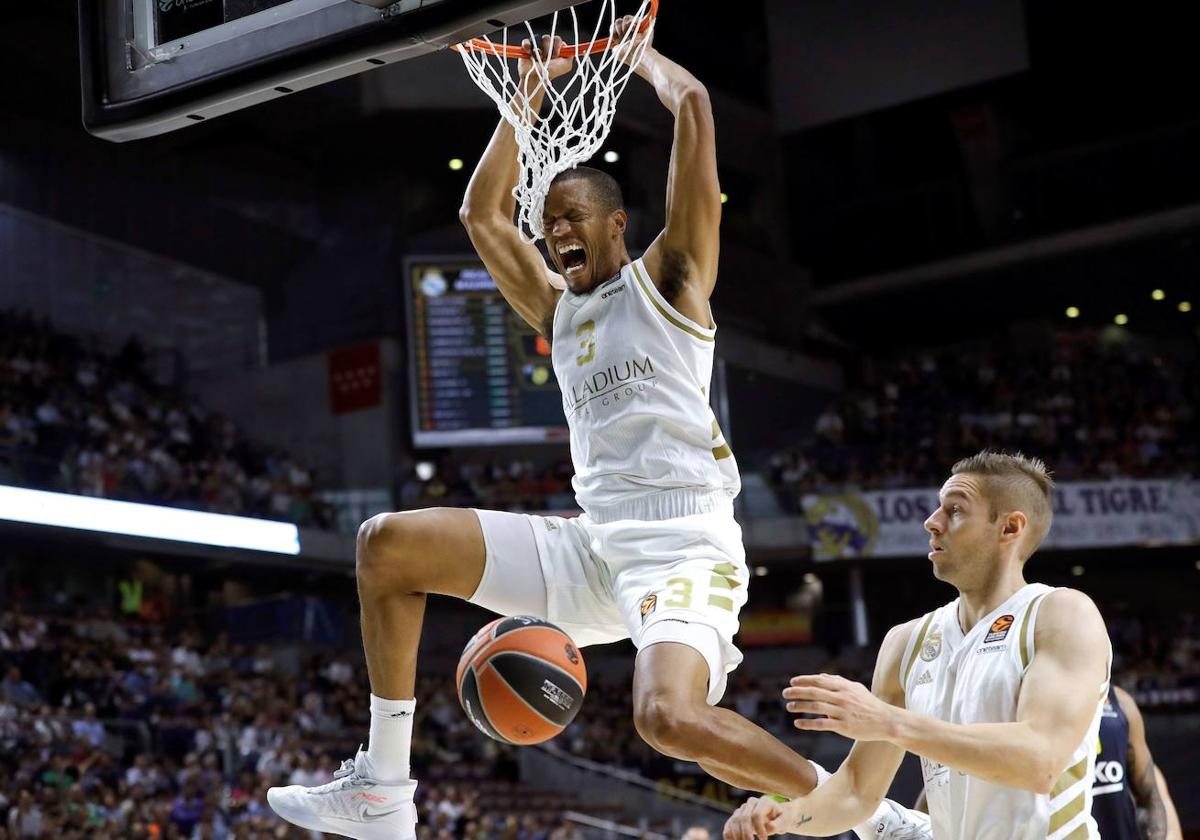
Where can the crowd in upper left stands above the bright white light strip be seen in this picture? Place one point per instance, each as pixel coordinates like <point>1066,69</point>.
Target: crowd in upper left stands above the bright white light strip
<point>77,419</point>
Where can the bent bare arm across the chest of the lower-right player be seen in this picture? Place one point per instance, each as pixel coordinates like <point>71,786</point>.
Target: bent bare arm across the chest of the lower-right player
<point>1055,707</point>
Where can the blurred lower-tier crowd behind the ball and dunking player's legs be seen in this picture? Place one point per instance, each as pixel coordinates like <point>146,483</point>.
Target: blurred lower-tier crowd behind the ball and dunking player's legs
<point>127,729</point>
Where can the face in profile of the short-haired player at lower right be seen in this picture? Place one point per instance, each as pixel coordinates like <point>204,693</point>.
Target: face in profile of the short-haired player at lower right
<point>962,533</point>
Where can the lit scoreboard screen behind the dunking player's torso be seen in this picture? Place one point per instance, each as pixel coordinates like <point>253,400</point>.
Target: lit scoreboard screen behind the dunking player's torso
<point>479,375</point>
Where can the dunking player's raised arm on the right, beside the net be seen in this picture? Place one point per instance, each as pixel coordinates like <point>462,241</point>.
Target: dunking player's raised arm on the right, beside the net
<point>682,261</point>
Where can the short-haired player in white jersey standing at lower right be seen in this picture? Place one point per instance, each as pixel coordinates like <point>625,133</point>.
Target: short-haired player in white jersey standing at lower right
<point>1000,692</point>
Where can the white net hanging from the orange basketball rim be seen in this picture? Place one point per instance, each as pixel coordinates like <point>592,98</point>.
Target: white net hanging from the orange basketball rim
<point>580,112</point>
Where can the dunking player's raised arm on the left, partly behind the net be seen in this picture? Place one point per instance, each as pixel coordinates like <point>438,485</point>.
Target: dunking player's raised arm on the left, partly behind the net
<point>488,209</point>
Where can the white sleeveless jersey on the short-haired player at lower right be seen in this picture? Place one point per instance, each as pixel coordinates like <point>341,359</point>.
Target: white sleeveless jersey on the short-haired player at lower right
<point>976,679</point>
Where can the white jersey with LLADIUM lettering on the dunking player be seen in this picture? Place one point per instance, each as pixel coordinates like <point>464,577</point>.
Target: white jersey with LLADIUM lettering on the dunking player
<point>635,375</point>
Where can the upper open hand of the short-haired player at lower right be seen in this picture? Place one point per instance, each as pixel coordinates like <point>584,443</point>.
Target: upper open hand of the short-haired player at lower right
<point>850,709</point>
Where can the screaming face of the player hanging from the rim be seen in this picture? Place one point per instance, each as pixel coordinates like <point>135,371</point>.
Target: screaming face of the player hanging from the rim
<point>584,243</point>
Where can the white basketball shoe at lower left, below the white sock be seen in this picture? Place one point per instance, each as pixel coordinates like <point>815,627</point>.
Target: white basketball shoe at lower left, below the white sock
<point>353,806</point>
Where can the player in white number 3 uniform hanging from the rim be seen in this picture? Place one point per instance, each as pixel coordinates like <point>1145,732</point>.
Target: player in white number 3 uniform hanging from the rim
<point>657,556</point>
